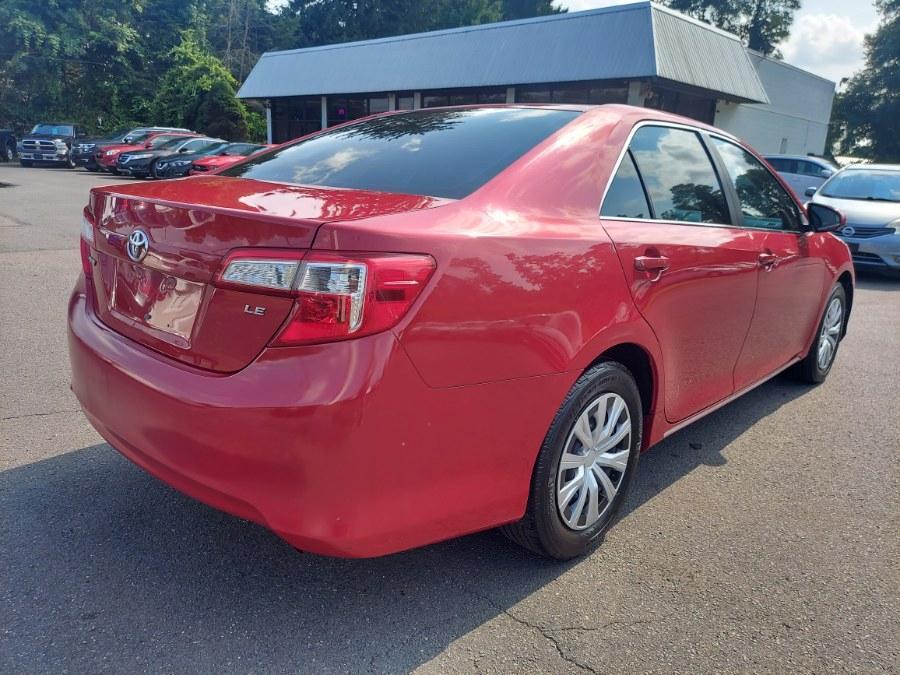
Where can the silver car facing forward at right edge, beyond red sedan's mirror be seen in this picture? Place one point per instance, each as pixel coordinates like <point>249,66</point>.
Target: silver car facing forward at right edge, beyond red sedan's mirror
<point>869,195</point>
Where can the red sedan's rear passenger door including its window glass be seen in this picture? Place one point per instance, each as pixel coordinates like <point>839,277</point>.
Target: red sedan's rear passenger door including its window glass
<point>692,273</point>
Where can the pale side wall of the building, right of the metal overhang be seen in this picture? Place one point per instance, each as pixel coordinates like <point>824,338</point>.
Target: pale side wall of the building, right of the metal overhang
<point>796,119</point>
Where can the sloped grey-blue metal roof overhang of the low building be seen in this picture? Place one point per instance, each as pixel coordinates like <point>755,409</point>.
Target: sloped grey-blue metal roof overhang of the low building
<point>635,41</point>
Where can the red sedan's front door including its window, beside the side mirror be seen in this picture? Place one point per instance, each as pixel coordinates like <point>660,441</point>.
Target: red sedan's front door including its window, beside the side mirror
<point>792,276</point>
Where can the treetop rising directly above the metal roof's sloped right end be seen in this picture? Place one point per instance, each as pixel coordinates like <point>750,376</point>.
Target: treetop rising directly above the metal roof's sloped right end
<point>761,24</point>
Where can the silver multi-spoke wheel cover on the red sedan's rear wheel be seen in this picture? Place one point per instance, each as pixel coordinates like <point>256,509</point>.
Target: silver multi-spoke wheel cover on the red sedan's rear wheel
<point>594,461</point>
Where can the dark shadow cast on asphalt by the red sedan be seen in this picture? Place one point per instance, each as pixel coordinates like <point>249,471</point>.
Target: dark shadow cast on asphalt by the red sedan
<point>106,567</point>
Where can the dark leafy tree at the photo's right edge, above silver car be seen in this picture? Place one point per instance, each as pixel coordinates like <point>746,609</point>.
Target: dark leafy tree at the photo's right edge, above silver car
<point>866,117</point>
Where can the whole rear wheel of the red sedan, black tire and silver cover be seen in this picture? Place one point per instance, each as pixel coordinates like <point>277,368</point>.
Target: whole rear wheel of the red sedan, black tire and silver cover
<point>584,467</point>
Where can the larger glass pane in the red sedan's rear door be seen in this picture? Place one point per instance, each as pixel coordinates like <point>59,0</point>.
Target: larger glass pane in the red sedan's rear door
<point>679,176</point>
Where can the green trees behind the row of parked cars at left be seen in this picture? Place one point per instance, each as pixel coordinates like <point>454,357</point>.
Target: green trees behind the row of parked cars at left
<point>108,64</point>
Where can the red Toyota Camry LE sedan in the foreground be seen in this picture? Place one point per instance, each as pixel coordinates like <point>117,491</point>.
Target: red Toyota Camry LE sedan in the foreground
<point>427,323</point>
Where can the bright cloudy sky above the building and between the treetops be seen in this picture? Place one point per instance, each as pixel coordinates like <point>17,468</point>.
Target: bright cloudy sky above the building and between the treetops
<point>826,37</point>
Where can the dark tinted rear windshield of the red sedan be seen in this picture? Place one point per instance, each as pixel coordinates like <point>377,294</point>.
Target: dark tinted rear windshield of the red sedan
<point>440,153</point>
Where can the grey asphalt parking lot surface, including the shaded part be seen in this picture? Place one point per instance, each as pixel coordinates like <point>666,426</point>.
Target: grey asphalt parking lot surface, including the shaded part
<point>764,537</point>
